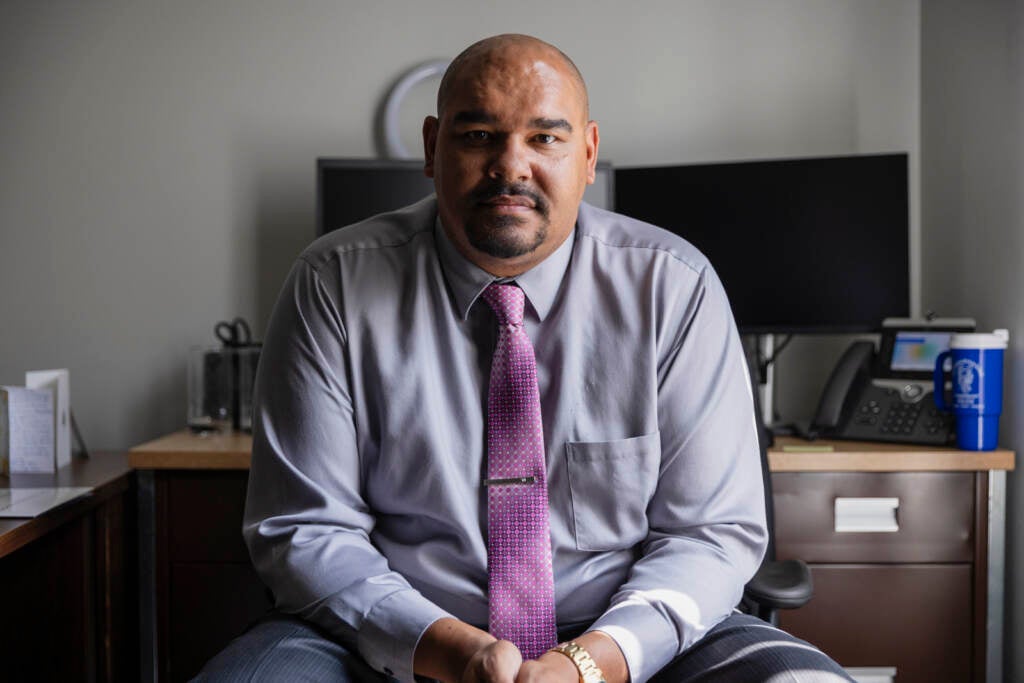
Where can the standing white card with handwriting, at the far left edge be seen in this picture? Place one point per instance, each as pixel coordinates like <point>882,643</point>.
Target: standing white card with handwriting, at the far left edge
<point>29,431</point>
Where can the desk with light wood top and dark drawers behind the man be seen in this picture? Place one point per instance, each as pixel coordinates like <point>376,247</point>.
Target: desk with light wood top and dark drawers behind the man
<point>198,486</point>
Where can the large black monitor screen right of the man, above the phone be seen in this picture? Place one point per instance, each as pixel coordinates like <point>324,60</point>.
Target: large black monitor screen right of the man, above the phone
<point>802,245</point>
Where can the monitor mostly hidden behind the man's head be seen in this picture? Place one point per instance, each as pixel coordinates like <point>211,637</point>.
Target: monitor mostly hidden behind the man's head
<point>351,190</point>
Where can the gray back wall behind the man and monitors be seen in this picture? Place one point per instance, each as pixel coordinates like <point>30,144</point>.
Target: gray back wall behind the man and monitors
<point>158,158</point>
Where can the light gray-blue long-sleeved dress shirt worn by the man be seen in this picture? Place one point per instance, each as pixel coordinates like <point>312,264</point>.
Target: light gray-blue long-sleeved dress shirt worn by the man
<point>366,511</point>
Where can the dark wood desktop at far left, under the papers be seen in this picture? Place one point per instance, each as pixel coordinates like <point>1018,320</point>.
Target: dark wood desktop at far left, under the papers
<point>108,475</point>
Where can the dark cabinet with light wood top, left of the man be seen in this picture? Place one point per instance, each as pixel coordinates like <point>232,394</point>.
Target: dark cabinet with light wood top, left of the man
<point>201,589</point>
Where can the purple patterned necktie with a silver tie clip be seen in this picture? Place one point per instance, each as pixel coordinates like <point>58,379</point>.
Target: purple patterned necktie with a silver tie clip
<point>522,584</point>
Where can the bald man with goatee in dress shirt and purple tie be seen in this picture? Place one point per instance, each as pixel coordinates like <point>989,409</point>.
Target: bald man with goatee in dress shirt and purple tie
<point>375,514</point>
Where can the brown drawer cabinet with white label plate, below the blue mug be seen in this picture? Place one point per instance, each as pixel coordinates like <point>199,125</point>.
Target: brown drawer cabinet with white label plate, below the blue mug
<point>910,591</point>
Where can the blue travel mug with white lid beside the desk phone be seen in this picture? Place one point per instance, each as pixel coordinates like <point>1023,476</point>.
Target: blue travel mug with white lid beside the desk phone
<point>977,383</point>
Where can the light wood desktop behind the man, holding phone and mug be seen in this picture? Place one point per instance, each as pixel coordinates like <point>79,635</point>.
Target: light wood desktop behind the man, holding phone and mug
<point>232,452</point>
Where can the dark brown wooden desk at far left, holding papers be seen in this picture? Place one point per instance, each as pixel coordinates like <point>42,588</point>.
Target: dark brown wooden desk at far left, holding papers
<point>67,579</point>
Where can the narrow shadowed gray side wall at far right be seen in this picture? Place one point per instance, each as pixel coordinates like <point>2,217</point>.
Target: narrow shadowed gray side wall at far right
<point>972,129</point>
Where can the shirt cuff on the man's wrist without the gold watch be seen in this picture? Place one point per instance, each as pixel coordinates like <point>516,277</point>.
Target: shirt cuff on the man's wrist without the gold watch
<point>393,629</point>
